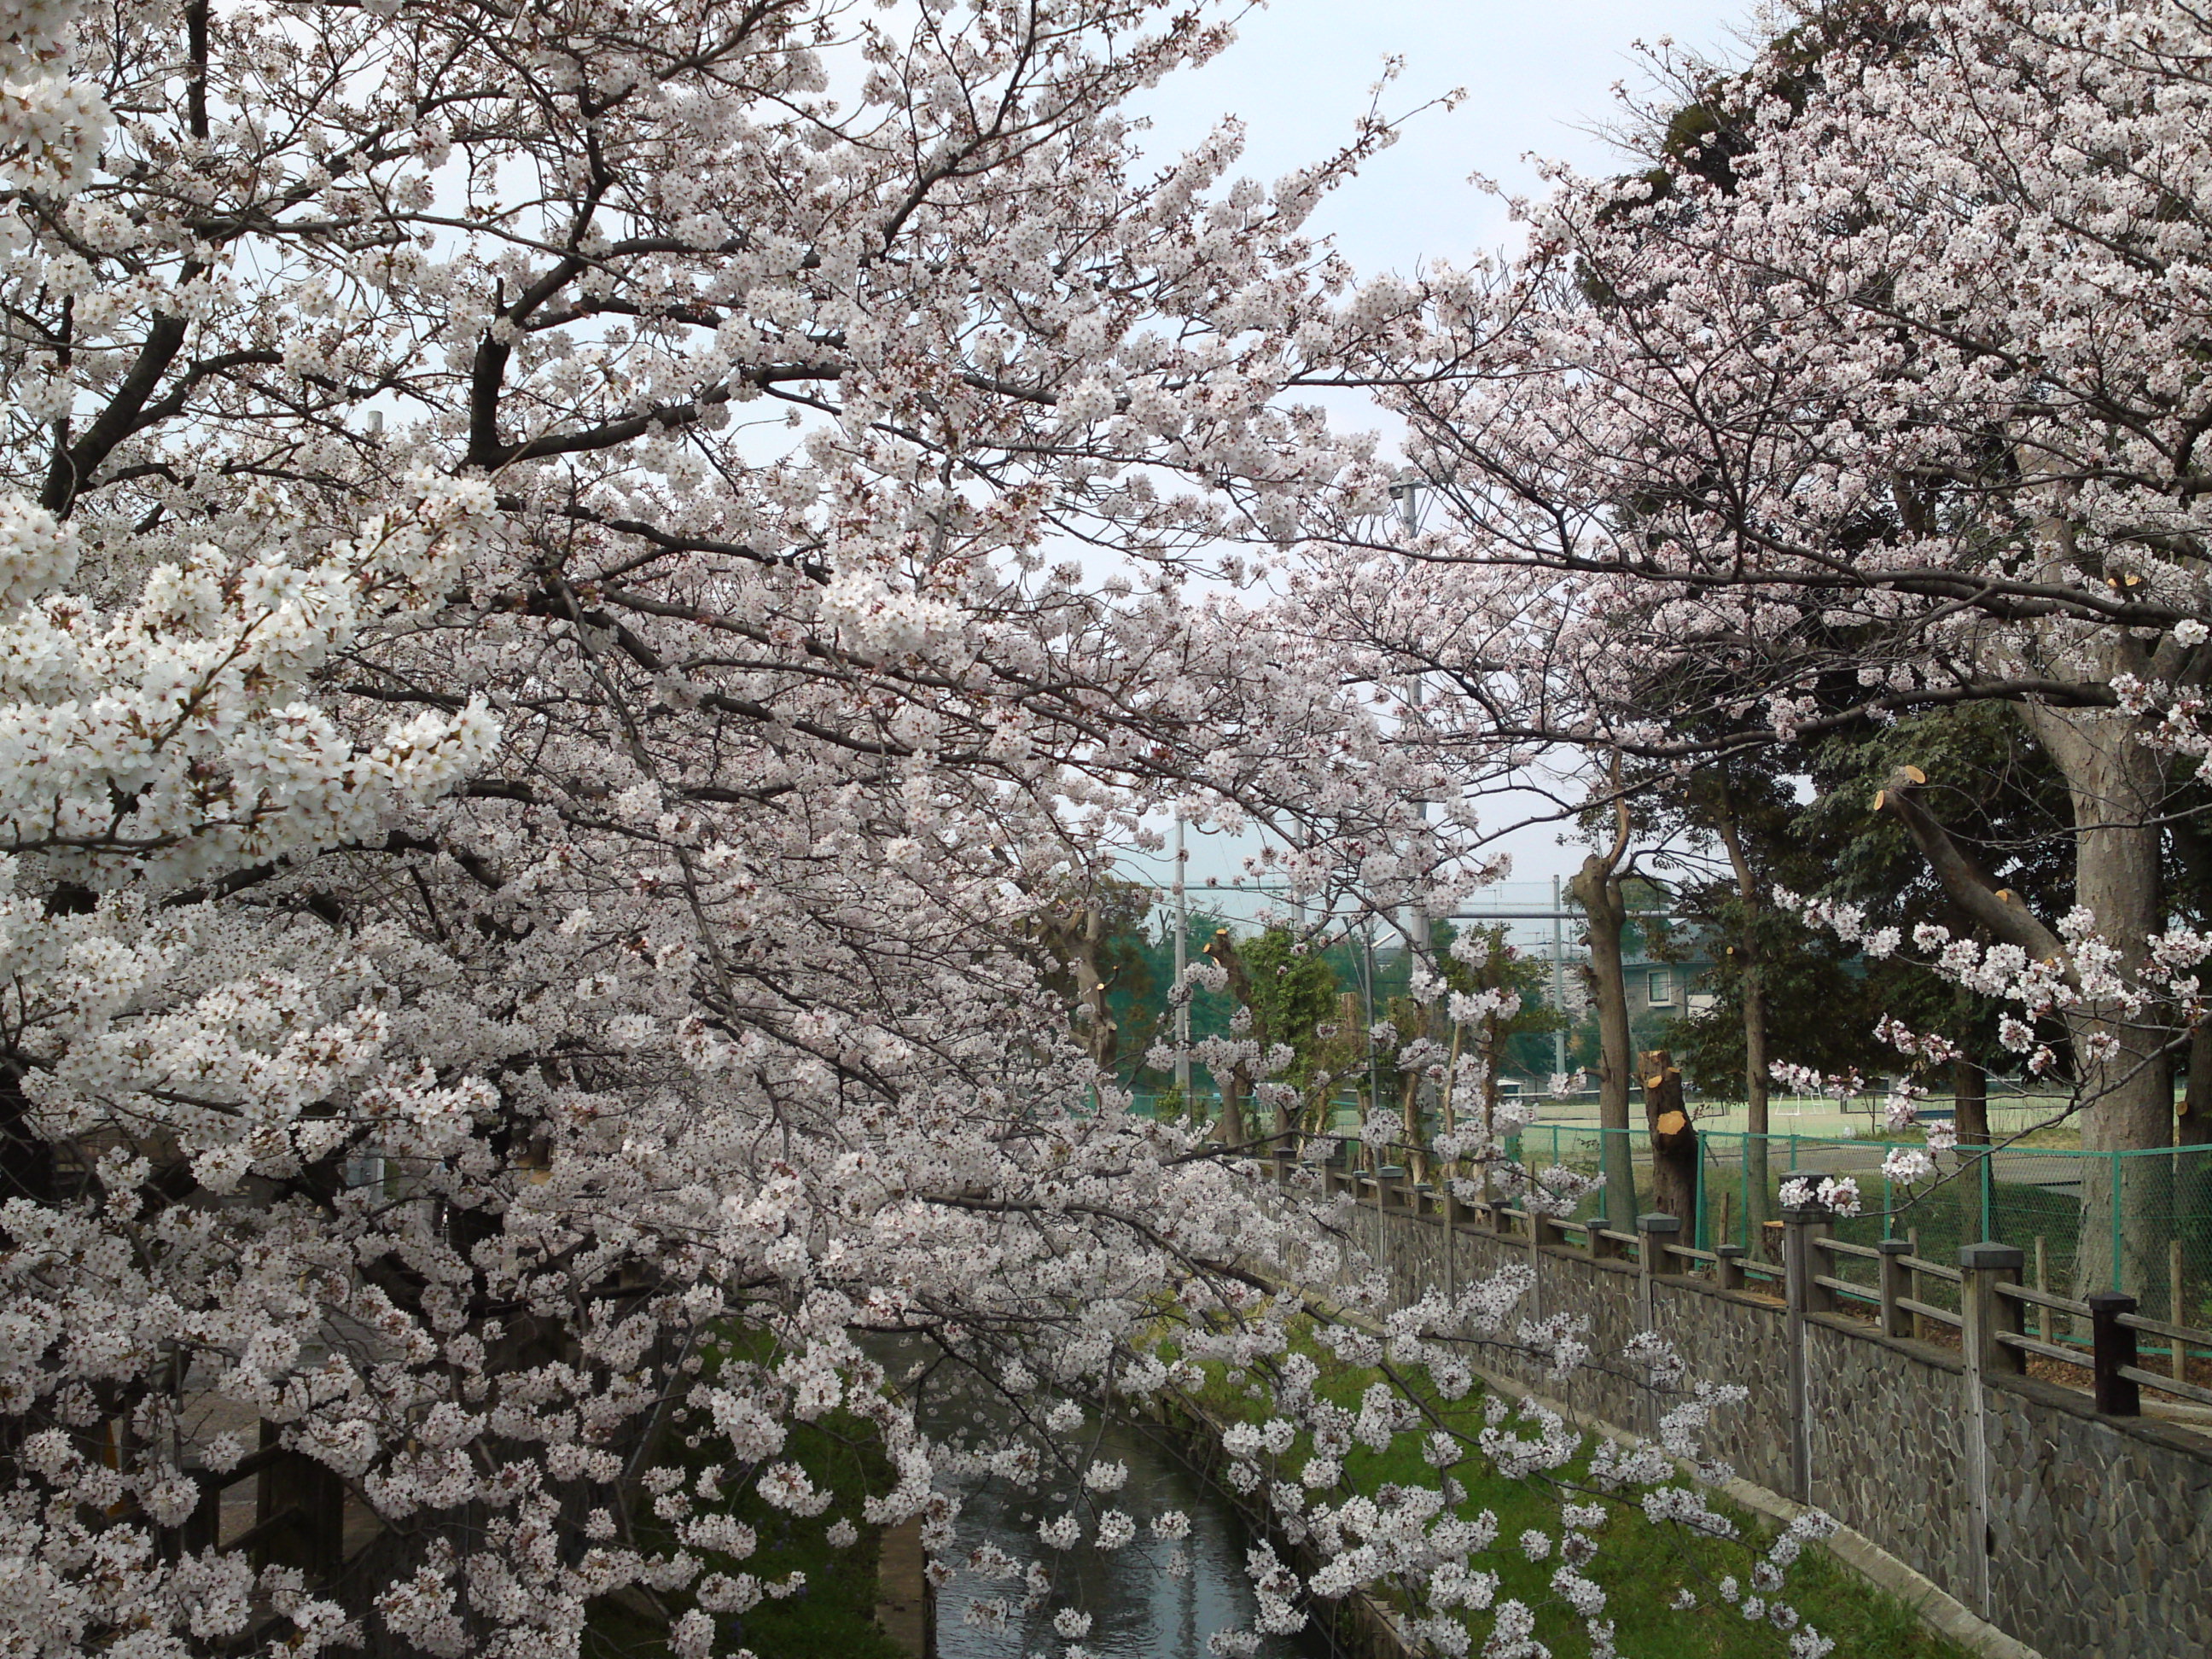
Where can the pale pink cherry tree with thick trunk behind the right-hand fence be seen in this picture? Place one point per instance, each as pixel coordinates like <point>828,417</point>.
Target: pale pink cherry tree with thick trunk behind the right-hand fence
<point>1877,393</point>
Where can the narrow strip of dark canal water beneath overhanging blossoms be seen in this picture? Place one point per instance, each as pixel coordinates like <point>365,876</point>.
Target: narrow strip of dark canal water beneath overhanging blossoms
<point>1140,1611</point>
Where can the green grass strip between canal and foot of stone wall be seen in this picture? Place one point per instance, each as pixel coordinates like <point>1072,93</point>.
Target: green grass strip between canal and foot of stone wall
<point>1640,1565</point>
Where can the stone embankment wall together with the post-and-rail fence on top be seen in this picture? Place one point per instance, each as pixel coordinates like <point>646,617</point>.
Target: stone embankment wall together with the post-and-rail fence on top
<point>2049,1510</point>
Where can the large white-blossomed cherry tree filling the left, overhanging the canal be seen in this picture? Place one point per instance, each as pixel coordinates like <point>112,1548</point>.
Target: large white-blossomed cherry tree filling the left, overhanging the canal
<point>550,674</point>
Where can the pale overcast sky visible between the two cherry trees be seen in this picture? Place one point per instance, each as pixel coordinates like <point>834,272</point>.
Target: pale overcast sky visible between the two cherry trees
<point>1538,85</point>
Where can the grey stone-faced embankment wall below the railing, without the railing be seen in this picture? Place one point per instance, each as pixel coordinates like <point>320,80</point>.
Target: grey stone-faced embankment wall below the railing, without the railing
<point>2096,1534</point>
